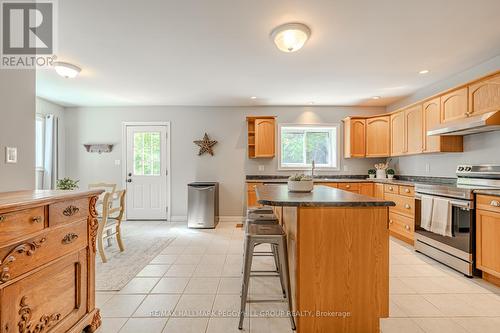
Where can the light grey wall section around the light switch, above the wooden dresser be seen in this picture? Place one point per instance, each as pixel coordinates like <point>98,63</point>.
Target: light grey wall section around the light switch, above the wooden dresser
<point>17,128</point>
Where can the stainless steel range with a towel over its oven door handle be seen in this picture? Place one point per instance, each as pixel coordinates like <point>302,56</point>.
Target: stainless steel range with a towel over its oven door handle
<point>457,251</point>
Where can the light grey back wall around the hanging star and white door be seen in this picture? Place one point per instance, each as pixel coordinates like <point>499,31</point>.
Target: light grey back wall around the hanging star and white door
<point>227,125</point>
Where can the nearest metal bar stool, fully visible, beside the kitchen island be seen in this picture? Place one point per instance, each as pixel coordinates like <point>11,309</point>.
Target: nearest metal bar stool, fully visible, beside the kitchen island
<point>272,234</point>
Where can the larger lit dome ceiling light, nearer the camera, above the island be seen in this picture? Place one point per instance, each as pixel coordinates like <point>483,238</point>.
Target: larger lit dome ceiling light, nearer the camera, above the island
<point>290,37</point>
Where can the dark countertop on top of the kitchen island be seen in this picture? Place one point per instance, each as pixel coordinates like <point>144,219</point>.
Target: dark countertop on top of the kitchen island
<point>321,196</point>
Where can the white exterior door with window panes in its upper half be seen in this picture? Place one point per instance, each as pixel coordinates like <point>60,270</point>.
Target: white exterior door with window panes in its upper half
<point>146,172</point>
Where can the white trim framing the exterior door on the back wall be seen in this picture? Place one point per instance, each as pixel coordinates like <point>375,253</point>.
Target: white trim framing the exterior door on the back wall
<point>165,124</point>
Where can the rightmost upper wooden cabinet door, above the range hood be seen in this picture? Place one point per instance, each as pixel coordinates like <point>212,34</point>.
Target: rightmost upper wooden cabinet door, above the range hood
<point>484,96</point>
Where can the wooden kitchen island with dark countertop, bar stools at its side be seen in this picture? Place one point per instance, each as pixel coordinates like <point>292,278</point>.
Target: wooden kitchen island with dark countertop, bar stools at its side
<point>338,244</point>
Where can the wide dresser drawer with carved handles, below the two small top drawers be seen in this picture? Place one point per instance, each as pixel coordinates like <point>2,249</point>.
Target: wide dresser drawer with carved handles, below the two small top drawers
<point>24,256</point>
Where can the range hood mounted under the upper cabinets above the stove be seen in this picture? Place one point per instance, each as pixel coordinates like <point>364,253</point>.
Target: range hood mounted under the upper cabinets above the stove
<point>476,124</point>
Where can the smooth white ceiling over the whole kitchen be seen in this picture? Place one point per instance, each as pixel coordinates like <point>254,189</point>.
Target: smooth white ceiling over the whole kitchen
<point>218,52</point>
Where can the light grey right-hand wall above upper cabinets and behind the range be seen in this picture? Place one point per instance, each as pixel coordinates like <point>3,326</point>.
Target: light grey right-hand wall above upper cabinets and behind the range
<point>478,148</point>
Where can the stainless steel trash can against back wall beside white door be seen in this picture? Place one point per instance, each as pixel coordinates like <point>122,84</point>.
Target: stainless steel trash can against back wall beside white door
<point>203,204</point>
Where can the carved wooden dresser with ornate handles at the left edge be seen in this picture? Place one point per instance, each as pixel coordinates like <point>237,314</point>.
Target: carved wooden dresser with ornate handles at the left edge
<point>47,261</point>
